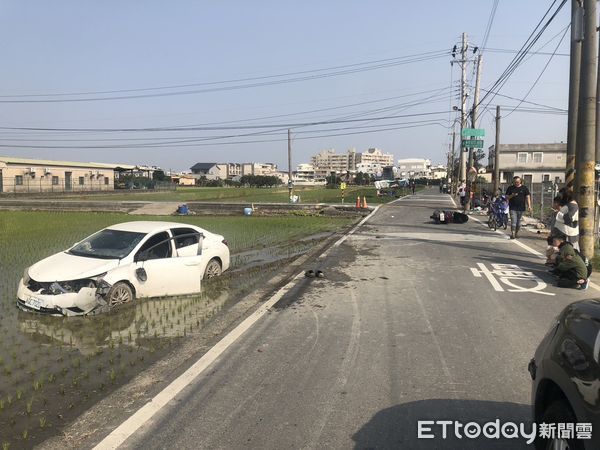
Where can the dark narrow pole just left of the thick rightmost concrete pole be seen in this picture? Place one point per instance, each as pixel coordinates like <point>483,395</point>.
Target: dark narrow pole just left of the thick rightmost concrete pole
<point>574,76</point>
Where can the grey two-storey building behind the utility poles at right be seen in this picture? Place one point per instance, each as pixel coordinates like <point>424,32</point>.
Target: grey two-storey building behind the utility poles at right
<point>534,163</point>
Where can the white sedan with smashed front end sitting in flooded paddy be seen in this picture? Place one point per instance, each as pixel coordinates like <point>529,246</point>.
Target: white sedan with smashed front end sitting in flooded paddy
<point>121,263</point>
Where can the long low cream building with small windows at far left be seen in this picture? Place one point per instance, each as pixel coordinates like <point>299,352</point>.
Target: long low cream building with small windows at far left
<point>22,175</point>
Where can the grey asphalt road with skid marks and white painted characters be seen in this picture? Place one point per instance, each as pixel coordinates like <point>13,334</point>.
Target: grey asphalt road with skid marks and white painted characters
<point>400,329</point>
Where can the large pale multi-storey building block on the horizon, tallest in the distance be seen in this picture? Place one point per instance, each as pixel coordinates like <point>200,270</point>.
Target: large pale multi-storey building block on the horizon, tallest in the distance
<point>372,161</point>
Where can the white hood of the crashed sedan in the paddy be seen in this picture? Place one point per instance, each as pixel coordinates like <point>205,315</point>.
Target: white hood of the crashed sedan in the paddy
<point>64,267</point>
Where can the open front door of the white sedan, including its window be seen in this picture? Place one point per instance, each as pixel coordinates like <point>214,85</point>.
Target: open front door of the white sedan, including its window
<point>158,273</point>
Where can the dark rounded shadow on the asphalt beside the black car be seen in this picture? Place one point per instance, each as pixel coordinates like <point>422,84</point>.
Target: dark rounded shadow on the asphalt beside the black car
<point>396,427</point>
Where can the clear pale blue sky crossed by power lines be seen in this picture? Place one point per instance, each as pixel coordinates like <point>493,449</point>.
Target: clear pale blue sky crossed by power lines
<point>180,82</point>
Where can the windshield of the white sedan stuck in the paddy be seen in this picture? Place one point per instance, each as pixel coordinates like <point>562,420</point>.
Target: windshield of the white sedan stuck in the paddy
<point>108,244</point>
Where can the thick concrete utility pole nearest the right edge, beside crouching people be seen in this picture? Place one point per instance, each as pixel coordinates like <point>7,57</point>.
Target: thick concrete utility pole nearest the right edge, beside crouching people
<point>585,159</point>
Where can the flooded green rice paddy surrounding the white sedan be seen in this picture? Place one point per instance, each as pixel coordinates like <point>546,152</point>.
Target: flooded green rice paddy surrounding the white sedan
<point>53,368</point>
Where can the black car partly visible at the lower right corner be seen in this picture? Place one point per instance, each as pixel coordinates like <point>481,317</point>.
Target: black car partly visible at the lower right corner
<point>566,377</point>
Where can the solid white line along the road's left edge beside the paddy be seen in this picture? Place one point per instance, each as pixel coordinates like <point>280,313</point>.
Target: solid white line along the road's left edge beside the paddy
<point>146,412</point>
